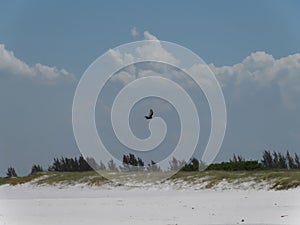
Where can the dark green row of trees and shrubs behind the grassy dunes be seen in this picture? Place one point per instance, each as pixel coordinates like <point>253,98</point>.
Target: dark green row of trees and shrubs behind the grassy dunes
<point>270,160</point>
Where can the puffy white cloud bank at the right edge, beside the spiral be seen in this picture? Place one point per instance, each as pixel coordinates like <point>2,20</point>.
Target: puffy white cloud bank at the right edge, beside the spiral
<point>264,71</point>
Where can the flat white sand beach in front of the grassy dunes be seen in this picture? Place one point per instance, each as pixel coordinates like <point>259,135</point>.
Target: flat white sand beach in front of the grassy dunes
<point>30,205</point>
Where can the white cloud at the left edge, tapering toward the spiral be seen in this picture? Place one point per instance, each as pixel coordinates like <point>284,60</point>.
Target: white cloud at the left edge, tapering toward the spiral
<point>10,65</point>
